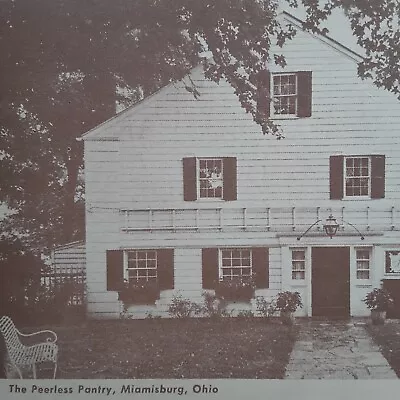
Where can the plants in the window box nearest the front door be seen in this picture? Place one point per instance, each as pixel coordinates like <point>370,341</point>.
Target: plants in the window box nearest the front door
<point>235,289</point>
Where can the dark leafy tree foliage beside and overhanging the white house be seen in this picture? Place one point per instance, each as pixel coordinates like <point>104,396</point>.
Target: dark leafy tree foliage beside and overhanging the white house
<point>61,62</point>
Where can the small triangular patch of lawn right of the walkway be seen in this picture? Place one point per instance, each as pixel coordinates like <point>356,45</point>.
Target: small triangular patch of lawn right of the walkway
<point>388,338</point>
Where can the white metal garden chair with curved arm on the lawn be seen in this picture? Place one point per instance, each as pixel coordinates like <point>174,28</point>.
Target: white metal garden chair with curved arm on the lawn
<point>34,348</point>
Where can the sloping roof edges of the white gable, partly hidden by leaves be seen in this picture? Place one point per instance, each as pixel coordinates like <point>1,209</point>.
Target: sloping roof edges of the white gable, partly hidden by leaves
<point>346,51</point>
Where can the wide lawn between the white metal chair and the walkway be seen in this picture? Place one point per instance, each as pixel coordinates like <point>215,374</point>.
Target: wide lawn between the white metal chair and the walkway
<point>170,348</point>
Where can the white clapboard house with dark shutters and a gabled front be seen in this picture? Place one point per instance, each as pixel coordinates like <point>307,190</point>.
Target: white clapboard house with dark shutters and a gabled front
<point>187,193</point>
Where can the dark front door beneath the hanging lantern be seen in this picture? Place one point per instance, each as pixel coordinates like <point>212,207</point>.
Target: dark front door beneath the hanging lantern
<point>331,281</point>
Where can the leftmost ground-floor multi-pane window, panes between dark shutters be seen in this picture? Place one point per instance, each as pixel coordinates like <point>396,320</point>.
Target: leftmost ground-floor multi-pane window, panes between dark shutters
<point>142,266</point>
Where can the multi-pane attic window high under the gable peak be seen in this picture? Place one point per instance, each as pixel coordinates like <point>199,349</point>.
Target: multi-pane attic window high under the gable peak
<point>284,94</point>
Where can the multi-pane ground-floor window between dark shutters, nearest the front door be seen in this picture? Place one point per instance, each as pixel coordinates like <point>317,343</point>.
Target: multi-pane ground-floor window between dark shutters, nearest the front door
<point>235,264</point>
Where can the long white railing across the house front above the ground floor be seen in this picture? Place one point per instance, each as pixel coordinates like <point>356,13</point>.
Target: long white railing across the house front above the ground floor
<point>276,219</point>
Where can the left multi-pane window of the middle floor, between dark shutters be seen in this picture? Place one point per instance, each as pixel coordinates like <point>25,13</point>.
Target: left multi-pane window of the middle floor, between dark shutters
<point>211,180</point>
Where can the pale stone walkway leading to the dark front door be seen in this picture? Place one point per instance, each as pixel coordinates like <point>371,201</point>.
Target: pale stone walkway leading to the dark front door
<point>336,350</point>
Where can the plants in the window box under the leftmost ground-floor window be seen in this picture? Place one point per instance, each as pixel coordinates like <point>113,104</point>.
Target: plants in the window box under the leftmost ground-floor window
<point>139,292</point>
